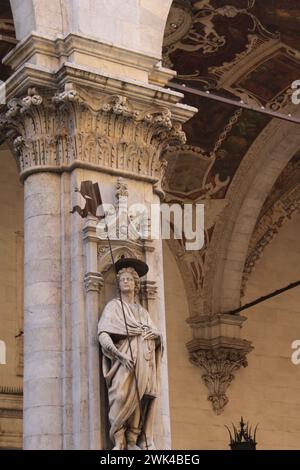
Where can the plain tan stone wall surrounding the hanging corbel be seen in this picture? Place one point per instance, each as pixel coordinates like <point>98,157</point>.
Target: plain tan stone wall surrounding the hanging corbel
<point>267,391</point>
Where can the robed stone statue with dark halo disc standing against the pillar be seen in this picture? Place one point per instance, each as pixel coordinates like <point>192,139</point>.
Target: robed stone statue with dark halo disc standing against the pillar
<point>126,357</point>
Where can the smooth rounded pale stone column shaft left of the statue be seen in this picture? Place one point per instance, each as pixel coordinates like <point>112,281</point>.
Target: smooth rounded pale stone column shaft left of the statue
<point>42,319</point>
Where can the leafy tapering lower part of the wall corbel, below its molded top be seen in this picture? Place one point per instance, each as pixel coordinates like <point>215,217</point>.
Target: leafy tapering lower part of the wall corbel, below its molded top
<point>219,366</point>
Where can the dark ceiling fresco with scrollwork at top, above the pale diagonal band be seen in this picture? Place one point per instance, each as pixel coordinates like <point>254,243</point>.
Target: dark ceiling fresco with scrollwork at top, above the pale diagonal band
<point>205,38</point>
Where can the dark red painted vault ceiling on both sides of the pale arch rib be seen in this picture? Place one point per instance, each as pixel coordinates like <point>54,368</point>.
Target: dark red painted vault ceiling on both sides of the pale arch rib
<point>245,50</point>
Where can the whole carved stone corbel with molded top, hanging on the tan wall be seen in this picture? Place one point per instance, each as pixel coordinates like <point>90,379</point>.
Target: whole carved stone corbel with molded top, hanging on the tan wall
<point>218,350</point>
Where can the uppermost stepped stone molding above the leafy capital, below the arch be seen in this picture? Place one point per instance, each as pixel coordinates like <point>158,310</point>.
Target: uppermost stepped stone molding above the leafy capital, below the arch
<point>82,50</point>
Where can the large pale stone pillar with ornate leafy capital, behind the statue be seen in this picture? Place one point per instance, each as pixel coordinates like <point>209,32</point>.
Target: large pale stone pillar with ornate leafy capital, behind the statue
<point>84,126</point>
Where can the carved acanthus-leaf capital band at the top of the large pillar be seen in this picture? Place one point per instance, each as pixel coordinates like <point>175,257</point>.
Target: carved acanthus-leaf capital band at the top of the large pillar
<point>58,131</point>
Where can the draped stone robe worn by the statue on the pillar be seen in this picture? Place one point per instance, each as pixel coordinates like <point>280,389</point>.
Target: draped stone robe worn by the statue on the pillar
<point>122,394</point>
